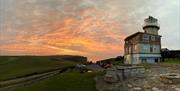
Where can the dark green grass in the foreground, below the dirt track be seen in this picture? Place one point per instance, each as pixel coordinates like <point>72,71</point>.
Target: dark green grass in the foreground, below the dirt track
<point>68,81</point>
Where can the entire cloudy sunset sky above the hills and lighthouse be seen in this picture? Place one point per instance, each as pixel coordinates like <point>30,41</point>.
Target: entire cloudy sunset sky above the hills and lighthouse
<point>92,28</point>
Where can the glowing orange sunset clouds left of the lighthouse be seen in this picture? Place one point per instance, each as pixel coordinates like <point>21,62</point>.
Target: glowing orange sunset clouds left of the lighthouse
<point>89,33</point>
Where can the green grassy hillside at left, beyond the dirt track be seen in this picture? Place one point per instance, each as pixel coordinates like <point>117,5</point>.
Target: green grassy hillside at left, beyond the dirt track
<point>12,67</point>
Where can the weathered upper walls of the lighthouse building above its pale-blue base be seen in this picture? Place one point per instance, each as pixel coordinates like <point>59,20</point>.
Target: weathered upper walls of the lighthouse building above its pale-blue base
<point>143,43</point>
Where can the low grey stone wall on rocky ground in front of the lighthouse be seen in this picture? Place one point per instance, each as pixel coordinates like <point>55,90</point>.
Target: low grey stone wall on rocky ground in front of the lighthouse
<point>120,73</point>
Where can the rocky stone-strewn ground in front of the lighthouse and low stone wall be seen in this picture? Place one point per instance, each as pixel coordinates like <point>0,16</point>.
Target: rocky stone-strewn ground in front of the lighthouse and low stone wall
<point>151,81</point>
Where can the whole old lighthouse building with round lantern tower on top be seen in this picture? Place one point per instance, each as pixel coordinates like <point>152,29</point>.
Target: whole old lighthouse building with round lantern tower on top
<point>144,47</point>
